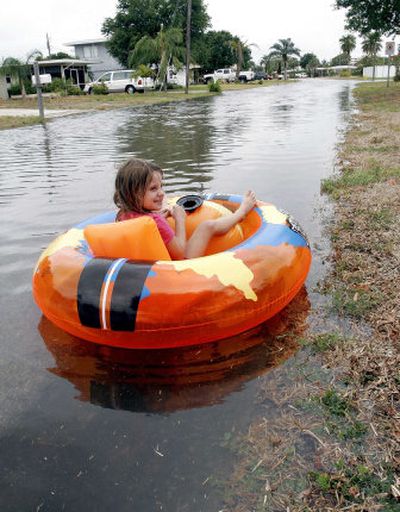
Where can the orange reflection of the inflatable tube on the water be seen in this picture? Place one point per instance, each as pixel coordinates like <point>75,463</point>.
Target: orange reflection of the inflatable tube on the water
<point>172,379</point>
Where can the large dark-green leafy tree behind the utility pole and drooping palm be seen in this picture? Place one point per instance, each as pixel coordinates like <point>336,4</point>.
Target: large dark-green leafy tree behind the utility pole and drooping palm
<point>138,18</point>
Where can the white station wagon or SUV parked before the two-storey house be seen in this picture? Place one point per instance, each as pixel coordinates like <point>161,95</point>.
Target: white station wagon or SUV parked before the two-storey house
<point>121,81</point>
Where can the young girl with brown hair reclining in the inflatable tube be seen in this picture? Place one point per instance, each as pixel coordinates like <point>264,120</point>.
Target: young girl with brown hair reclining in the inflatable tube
<point>138,191</point>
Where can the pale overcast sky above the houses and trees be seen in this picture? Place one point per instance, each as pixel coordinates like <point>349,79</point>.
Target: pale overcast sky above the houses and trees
<point>313,25</point>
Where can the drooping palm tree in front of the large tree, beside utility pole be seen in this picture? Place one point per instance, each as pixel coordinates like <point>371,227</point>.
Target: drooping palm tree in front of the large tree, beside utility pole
<point>166,49</point>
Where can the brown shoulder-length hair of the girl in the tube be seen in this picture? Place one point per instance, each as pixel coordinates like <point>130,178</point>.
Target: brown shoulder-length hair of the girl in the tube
<point>131,183</point>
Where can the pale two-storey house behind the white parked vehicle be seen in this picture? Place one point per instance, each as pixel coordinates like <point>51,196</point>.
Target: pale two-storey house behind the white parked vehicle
<point>95,50</point>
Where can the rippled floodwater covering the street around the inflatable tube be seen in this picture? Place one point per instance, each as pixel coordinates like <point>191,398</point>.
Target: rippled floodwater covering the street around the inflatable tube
<point>84,427</point>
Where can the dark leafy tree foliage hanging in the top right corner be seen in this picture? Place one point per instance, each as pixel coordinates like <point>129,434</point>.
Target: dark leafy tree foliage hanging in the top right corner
<point>365,16</point>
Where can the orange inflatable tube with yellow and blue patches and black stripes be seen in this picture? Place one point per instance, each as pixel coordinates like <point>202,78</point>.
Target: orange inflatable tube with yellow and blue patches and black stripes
<point>123,298</point>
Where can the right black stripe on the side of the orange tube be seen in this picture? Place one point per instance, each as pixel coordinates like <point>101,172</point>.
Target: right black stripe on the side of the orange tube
<point>126,294</point>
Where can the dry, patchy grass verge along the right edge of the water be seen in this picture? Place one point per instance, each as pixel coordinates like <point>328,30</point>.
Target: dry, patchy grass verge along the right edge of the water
<point>330,436</point>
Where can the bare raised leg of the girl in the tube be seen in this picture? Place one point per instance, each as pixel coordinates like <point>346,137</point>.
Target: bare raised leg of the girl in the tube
<point>197,244</point>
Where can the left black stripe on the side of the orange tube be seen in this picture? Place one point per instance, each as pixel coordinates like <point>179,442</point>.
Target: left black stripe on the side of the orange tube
<point>89,290</point>
